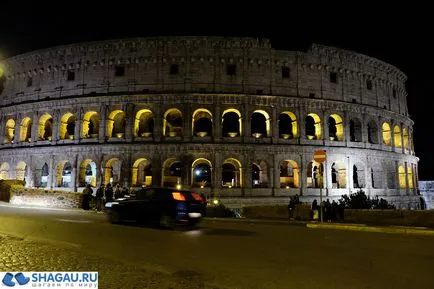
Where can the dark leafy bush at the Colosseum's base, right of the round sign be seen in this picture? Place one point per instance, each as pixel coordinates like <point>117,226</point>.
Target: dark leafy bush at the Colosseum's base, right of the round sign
<point>359,200</point>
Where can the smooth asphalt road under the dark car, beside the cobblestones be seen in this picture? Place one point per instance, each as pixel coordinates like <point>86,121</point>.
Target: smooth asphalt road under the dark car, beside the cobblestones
<point>239,255</point>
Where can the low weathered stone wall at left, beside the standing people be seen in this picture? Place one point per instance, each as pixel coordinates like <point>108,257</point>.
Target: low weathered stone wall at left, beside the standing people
<point>45,198</point>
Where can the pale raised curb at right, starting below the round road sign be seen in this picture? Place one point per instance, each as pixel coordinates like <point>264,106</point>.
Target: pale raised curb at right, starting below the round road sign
<point>379,229</point>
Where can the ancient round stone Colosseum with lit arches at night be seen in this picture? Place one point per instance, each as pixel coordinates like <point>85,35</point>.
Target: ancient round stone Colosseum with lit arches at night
<point>233,118</point>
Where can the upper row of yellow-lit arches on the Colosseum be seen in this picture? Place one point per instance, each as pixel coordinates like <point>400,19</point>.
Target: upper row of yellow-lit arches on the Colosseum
<point>202,125</point>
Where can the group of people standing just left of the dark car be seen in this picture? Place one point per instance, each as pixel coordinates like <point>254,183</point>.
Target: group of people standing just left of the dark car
<point>103,194</point>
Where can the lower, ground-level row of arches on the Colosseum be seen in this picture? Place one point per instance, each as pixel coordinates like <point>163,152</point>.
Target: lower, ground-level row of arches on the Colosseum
<point>201,174</point>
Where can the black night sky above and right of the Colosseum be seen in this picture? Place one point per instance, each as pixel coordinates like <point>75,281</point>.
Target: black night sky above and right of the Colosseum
<point>398,35</point>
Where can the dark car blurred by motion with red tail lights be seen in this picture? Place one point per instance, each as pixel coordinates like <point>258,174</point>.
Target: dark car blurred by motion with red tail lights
<point>158,206</point>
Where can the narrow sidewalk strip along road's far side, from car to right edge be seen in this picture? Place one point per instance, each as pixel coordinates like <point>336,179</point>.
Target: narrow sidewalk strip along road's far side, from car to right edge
<point>333,226</point>
